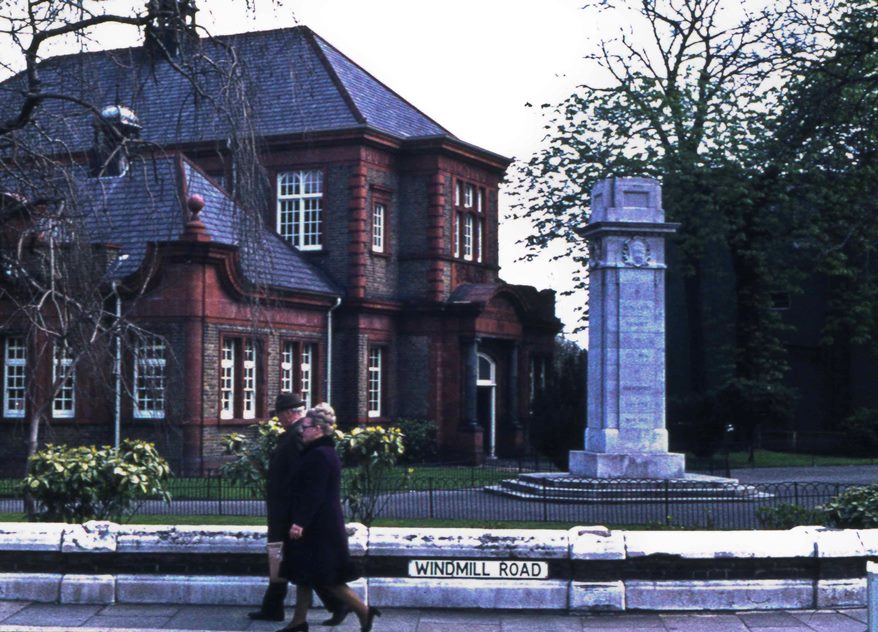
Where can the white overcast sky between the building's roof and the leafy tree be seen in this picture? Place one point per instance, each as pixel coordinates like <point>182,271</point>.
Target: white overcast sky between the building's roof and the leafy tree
<point>471,65</point>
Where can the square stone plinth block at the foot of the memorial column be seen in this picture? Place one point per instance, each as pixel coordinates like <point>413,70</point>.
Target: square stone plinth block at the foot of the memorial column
<point>662,465</point>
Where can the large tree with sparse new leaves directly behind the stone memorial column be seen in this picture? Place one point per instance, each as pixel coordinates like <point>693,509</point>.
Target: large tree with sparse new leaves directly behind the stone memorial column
<point>690,97</point>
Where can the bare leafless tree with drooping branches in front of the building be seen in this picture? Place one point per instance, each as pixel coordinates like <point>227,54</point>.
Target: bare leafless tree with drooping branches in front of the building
<point>58,279</point>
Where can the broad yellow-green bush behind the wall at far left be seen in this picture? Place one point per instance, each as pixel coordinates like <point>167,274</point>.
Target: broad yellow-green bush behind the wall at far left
<point>89,483</point>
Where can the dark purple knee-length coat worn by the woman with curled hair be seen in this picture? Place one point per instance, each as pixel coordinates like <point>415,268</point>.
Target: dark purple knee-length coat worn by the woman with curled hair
<point>321,556</point>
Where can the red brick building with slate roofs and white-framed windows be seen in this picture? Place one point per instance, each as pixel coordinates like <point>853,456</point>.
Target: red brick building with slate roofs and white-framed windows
<point>372,280</point>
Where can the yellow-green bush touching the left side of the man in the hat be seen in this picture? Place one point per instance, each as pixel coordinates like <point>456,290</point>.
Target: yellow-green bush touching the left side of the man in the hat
<point>252,455</point>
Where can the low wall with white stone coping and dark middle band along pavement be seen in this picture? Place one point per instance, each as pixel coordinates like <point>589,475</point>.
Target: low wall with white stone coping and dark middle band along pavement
<point>589,568</point>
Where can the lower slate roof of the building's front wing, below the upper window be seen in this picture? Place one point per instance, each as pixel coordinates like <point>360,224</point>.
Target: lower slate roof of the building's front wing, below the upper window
<point>146,205</point>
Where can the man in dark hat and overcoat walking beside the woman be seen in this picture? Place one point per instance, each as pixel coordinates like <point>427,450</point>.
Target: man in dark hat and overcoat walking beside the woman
<point>290,410</point>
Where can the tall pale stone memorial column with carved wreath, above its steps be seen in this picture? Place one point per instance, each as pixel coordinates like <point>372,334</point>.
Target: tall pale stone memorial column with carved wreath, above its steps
<point>626,435</point>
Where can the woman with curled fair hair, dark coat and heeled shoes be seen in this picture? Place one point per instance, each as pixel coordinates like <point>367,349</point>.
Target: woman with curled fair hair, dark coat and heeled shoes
<point>317,556</point>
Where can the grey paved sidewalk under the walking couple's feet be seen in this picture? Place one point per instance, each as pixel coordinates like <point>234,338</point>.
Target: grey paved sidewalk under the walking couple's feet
<point>20,616</point>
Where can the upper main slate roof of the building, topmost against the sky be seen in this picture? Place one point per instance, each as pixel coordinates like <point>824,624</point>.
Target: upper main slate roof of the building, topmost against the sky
<point>296,83</point>
